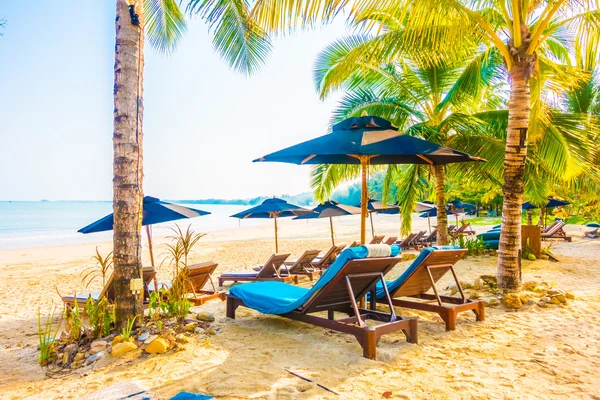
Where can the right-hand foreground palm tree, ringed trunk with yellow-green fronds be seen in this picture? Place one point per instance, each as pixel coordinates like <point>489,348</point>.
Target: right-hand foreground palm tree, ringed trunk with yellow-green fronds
<point>529,35</point>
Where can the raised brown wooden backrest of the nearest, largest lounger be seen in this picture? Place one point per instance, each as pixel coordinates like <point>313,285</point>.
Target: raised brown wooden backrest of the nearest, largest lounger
<point>363,275</point>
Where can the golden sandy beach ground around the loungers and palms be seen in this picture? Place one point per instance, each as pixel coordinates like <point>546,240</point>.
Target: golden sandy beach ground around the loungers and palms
<point>530,354</point>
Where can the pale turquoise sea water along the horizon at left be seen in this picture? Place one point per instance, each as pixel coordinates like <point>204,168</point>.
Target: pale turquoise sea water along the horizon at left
<point>29,224</point>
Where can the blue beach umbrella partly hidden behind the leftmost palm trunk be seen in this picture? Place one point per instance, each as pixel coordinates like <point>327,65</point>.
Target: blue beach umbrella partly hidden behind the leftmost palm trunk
<point>154,211</point>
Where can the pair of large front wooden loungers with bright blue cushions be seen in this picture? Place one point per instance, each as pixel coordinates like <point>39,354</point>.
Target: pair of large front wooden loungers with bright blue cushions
<point>358,273</point>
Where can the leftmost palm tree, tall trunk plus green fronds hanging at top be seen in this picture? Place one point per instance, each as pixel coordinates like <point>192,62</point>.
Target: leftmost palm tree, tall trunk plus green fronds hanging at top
<point>236,37</point>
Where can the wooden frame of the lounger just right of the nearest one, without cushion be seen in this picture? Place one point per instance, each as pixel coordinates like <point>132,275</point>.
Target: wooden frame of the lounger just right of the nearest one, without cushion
<point>436,265</point>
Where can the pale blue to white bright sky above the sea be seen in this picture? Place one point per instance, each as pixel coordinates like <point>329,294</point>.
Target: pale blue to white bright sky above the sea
<point>203,122</point>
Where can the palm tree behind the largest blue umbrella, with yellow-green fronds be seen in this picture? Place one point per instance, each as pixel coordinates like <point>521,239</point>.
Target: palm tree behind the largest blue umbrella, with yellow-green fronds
<point>430,100</point>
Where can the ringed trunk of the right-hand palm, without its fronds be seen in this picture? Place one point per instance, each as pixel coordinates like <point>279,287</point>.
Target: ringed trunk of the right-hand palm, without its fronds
<point>509,260</point>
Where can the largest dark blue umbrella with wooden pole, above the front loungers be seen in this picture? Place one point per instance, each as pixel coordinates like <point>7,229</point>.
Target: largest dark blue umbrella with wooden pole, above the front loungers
<point>363,141</point>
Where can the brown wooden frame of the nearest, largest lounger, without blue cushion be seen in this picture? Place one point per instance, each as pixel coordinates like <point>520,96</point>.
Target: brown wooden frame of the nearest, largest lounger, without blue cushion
<point>342,294</point>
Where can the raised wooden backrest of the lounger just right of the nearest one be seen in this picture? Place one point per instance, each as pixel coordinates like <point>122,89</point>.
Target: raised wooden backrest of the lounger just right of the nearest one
<point>438,263</point>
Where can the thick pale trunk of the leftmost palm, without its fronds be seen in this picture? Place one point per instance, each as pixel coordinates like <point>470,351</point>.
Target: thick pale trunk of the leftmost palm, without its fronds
<point>127,165</point>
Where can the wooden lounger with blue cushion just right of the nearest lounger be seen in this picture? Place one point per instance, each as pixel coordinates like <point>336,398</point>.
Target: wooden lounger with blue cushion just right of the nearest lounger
<point>410,290</point>
